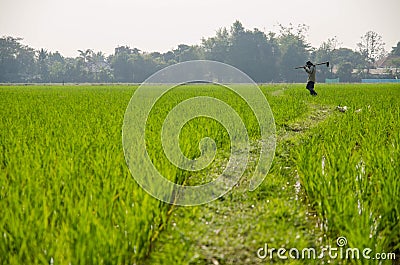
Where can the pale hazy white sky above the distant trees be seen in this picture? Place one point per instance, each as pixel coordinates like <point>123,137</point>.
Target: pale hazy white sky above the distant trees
<point>160,25</point>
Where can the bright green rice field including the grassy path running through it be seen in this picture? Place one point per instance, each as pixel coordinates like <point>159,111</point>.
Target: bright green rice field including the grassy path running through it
<point>68,197</point>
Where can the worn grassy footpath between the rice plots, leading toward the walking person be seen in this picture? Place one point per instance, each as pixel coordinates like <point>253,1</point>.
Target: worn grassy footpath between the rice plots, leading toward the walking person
<point>230,230</point>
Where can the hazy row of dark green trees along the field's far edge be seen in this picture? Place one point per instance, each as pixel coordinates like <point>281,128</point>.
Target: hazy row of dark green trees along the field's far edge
<point>265,57</point>
